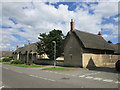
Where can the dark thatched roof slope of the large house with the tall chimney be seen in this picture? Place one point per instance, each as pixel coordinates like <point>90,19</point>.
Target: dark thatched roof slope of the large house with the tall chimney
<point>92,41</point>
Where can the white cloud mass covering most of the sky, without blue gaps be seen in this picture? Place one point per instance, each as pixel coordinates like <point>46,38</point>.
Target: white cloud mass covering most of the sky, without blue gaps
<point>38,17</point>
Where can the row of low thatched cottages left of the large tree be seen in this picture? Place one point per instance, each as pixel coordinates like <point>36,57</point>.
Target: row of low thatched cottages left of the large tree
<point>28,53</point>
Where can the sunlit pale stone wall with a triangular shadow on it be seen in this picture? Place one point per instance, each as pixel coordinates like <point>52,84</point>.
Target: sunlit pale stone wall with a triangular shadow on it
<point>99,60</point>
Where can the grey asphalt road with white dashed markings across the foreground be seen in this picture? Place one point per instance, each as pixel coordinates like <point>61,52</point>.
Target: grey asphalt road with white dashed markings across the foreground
<point>18,77</point>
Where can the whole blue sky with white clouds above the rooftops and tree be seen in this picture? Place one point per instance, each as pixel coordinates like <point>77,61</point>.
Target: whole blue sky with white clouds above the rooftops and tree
<point>23,21</point>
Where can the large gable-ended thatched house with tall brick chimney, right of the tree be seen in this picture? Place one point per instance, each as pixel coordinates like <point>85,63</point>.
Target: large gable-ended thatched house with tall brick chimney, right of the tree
<point>84,49</point>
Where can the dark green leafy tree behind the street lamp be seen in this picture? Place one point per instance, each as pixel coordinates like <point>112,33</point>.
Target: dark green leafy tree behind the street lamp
<point>46,45</point>
